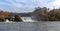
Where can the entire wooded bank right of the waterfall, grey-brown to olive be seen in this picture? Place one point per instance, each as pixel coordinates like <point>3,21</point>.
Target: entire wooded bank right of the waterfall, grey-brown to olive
<point>45,14</point>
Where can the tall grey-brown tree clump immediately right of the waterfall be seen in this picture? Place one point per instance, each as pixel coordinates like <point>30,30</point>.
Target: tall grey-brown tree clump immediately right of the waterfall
<point>39,13</point>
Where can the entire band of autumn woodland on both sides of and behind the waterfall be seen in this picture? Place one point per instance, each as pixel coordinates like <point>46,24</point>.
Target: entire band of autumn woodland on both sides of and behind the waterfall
<point>39,14</point>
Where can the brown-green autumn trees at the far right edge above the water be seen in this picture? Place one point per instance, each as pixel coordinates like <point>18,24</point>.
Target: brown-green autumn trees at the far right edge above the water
<point>54,15</point>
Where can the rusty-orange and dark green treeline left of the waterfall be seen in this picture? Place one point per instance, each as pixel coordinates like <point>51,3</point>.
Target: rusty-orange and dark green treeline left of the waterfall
<point>9,16</point>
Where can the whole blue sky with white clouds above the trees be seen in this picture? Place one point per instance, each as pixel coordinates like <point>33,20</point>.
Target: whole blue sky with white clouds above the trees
<point>27,5</point>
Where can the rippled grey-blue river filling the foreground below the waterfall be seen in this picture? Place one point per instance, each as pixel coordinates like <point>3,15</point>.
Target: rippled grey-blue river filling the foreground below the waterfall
<point>30,26</point>
